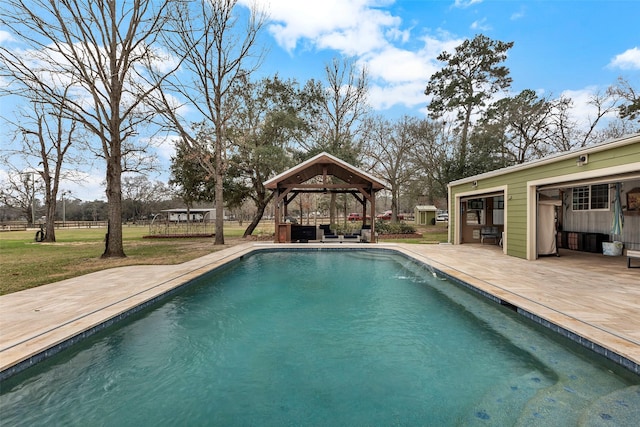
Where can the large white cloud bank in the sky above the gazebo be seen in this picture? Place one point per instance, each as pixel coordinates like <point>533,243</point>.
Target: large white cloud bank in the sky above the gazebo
<point>376,38</point>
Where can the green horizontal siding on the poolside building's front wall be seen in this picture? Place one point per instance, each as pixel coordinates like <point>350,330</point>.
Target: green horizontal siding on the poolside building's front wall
<point>516,182</point>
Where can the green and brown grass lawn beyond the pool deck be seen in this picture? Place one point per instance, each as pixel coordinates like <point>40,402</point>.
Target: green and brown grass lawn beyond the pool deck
<point>26,264</point>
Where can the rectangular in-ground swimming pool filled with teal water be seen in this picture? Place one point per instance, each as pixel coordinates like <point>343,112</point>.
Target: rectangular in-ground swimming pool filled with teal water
<point>323,337</point>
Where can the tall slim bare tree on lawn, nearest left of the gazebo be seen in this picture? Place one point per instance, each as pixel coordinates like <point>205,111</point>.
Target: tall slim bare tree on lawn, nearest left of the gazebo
<point>220,54</point>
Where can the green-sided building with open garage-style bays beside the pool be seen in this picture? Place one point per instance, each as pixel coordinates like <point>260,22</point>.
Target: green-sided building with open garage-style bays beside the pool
<point>585,199</point>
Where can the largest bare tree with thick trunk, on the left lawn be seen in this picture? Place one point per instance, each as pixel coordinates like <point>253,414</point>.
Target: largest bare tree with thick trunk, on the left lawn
<point>103,50</point>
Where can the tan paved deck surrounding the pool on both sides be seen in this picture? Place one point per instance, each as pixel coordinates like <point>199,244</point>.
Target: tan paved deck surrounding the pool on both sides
<point>586,295</point>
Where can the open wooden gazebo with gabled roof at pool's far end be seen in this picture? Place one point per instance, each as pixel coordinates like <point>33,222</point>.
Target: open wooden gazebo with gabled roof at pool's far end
<point>325,174</point>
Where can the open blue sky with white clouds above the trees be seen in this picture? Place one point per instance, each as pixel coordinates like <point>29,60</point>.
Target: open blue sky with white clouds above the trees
<point>561,47</point>
